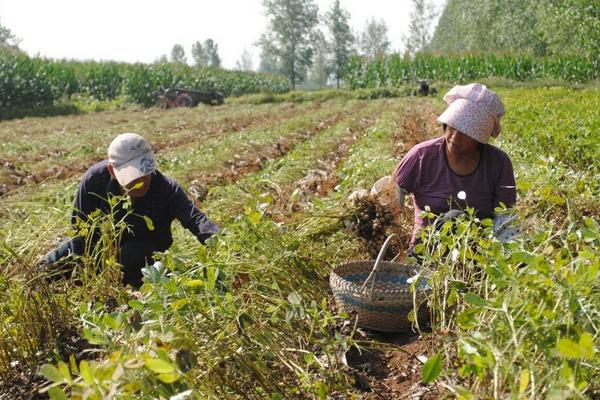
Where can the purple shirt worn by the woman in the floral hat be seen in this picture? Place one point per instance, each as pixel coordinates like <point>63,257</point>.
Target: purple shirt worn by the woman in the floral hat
<point>424,172</point>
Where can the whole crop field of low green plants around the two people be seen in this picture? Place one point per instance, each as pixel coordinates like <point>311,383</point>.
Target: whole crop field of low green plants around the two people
<point>251,314</point>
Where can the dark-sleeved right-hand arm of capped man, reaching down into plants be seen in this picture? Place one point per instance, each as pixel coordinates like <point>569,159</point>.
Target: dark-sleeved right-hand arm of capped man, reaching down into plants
<point>190,217</point>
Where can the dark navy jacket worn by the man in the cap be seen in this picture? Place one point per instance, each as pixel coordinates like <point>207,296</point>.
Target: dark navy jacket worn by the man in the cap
<point>164,202</point>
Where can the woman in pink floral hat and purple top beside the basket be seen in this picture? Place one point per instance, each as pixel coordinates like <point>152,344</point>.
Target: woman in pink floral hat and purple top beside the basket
<point>460,168</point>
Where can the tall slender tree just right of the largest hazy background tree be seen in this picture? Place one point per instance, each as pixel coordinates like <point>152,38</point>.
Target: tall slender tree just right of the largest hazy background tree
<point>342,39</point>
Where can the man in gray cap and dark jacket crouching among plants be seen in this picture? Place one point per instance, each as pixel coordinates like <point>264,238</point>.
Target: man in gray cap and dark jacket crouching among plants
<point>156,200</point>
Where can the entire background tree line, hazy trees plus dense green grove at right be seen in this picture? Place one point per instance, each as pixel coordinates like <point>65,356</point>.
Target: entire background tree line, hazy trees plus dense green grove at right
<point>305,45</point>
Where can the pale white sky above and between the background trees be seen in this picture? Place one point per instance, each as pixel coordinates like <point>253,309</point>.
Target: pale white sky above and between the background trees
<point>138,30</point>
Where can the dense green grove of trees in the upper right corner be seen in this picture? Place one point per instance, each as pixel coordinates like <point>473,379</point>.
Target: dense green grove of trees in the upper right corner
<point>538,27</point>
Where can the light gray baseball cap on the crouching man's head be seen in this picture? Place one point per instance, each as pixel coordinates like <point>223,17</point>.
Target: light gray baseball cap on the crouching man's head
<point>131,157</point>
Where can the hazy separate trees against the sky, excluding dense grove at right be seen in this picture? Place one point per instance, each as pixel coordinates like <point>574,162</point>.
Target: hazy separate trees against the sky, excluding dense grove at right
<point>302,44</point>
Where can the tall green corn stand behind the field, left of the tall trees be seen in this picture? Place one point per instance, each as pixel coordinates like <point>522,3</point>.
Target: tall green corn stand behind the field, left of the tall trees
<point>32,82</point>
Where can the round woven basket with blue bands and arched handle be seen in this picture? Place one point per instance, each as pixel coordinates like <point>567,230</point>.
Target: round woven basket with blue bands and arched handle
<point>378,292</point>
